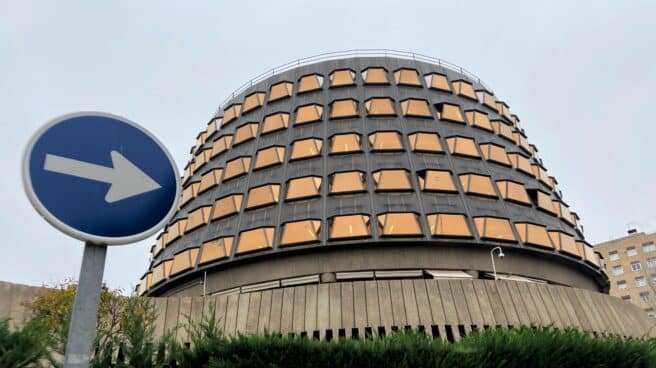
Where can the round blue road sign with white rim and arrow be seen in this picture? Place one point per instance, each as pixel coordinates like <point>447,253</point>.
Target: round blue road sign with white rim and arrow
<point>100,178</point>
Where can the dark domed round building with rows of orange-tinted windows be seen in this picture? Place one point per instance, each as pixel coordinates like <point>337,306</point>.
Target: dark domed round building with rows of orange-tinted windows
<point>339,173</point>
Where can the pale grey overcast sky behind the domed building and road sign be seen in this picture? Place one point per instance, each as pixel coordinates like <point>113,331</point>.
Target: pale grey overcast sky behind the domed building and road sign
<point>580,75</point>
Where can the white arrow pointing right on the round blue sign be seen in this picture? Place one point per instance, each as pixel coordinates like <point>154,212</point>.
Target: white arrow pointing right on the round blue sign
<point>127,180</point>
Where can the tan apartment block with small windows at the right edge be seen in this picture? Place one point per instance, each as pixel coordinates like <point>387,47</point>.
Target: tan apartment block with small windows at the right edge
<point>631,265</point>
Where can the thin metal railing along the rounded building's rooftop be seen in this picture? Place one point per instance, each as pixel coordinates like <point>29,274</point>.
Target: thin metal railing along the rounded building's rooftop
<point>346,54</point>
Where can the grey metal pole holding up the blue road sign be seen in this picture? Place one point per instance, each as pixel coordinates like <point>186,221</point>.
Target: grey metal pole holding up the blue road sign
<point>81,332</point>
